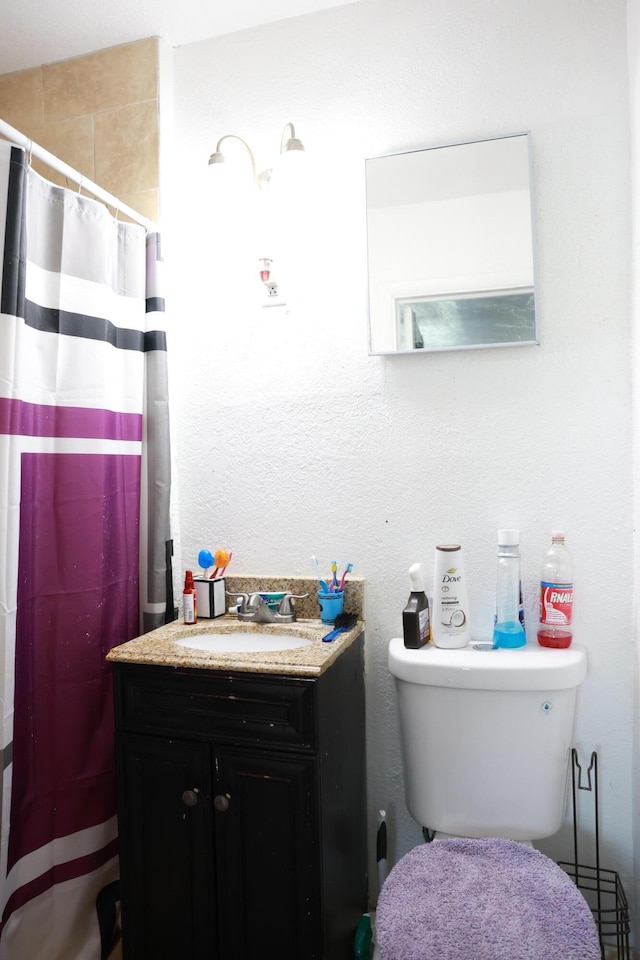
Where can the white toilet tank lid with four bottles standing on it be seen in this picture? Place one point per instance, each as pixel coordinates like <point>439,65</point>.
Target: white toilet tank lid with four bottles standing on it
<point>531,667</point>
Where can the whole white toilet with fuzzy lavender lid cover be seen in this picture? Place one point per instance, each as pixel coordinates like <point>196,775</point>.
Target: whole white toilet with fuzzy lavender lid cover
<point>485,737</point>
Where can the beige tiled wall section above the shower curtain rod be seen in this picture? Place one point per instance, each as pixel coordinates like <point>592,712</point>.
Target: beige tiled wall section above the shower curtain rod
<point>98,113</point>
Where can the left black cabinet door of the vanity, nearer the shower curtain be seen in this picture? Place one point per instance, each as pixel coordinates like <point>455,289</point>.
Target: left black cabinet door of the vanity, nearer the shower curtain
<point>166,849</point>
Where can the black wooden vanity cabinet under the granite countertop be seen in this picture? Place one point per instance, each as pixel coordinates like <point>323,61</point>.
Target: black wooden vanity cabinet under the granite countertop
<point>241,808</point>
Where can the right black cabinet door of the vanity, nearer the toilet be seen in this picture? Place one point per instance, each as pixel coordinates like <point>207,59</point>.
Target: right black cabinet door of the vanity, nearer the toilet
<point>267,862</point>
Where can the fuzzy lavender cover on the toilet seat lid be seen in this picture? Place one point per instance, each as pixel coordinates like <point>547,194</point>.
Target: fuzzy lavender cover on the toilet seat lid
<point>482,900</point>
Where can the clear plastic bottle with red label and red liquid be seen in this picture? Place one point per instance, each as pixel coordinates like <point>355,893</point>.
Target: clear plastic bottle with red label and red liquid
<point>556,595</point>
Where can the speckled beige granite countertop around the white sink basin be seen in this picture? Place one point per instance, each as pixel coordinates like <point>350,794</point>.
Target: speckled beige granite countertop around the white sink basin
<point>158,647</point>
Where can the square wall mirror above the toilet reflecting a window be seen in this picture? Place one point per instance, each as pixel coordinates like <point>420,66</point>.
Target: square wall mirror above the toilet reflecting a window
<point>450,247</point>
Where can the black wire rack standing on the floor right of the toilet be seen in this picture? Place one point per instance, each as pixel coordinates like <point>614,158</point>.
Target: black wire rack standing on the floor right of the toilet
<point>602,889</point>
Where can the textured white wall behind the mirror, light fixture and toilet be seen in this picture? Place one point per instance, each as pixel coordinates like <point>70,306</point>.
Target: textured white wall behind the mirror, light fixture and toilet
<point>292,441</point>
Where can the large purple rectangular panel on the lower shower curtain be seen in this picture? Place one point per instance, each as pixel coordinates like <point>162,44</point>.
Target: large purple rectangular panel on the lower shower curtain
<point>77,598</point>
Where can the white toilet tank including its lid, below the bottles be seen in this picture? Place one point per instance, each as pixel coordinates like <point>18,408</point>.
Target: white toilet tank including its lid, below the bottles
<point>486,736</point>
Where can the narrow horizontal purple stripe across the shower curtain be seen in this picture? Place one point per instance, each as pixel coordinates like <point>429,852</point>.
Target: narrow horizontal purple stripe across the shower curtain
<point>17,417</point>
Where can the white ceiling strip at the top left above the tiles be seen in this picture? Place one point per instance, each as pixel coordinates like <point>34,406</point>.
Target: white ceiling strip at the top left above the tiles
<point>34,32</point>
